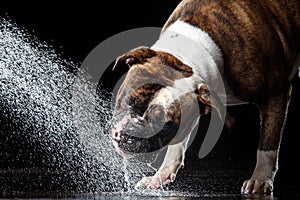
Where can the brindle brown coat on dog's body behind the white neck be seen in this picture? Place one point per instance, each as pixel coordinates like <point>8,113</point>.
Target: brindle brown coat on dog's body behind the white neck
<point>233,26</point>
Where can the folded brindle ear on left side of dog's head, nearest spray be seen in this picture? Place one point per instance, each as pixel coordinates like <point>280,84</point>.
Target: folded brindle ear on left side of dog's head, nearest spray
<point>138,55</point>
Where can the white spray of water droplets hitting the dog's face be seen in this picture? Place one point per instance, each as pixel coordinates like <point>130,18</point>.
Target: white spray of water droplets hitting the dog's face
<point>58,111</point>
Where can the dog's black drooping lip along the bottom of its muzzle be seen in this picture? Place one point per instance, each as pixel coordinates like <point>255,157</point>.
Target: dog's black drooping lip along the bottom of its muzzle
<point>135,144</point>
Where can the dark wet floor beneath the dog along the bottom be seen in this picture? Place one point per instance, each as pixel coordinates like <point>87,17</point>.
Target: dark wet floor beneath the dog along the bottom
<point>206,179</point>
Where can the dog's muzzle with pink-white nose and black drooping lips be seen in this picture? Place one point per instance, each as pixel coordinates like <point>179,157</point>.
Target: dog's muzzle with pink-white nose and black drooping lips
<point>146,134</point>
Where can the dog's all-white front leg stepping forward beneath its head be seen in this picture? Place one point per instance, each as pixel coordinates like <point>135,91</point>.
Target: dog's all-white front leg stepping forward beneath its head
<point>173,162</point>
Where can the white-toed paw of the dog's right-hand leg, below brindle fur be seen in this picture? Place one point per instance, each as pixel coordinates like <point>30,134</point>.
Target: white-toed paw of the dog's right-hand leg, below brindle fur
<point>256,186</point>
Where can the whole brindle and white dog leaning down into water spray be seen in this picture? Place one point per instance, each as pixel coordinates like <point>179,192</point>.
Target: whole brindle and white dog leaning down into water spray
<point>253,47</point>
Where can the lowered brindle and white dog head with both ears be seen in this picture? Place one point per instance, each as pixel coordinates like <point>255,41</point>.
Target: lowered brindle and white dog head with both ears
<point>157,103</point>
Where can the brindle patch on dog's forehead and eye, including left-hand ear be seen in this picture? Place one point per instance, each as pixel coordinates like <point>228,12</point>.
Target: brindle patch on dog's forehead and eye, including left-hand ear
<point>160,68</point>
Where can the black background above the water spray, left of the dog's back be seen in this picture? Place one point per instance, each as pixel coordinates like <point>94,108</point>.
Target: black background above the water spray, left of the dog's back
<point>74,28</point>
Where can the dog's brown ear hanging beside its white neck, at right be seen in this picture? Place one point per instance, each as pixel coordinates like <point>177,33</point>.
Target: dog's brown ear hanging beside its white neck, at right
<point>210,99</point>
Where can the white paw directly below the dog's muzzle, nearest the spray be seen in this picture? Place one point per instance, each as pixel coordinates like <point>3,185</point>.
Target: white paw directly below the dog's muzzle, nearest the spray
<point>158,181</point>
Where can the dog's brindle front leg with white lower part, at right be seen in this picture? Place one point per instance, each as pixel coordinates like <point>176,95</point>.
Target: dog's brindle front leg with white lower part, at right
<point>273,115</point>
